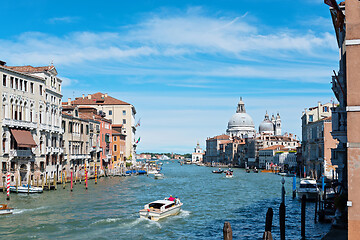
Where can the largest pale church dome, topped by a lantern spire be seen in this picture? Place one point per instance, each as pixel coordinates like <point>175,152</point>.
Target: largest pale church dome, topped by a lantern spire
<point>241,124</point>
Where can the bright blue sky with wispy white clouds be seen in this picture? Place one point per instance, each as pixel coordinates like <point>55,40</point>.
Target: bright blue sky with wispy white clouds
<point>182,64</point>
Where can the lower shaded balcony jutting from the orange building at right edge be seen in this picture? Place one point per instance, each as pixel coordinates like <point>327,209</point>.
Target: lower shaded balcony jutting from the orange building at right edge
<point>339,124</point>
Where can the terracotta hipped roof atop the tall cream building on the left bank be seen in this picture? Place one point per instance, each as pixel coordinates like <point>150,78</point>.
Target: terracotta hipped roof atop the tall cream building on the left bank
<point>98,99</point>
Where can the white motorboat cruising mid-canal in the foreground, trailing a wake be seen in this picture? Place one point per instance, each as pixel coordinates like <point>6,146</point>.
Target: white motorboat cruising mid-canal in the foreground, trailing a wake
<point>161,208</point>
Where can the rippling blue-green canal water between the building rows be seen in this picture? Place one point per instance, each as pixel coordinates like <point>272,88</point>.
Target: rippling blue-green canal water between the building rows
<point>109,210</point>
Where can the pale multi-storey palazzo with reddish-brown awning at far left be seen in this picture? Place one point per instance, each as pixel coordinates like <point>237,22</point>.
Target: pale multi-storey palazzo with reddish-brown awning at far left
<point>30,122</point>
